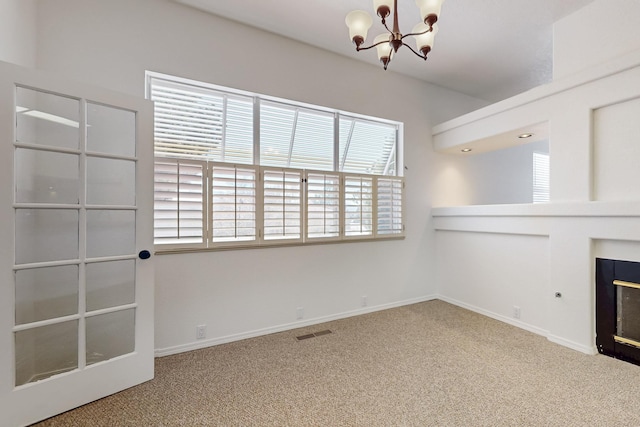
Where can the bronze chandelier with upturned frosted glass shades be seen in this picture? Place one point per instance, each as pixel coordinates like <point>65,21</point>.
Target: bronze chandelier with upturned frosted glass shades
<point>387,44</point>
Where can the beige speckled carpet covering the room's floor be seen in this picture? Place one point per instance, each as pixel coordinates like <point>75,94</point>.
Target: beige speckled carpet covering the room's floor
<point>428,364</point>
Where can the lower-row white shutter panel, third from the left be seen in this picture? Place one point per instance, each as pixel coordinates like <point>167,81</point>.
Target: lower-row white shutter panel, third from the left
<point>282,198</point>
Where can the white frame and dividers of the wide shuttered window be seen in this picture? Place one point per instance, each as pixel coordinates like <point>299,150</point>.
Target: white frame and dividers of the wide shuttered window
<point>260,220</point>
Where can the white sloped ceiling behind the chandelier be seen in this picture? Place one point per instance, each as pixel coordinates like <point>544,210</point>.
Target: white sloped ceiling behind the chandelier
<point>490,49</point>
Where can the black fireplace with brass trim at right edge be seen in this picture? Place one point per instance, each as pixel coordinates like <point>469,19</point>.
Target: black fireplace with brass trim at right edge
<point>618,309</point>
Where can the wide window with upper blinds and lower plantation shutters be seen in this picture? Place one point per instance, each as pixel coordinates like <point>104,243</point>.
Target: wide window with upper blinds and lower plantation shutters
<point>234,168</point>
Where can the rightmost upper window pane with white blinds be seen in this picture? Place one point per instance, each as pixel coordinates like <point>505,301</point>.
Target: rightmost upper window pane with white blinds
<point>367,147</point>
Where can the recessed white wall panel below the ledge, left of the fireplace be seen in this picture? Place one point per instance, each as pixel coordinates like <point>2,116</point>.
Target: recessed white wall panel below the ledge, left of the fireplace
<point>517,265</point>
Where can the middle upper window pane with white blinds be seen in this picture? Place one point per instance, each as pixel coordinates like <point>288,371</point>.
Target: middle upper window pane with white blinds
<point>295,137</point>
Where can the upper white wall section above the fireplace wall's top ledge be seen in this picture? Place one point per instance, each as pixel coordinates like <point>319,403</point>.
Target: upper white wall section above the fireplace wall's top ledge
<point>599,32</point>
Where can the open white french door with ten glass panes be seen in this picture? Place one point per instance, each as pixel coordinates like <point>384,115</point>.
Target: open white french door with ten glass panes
<point>76,284</point>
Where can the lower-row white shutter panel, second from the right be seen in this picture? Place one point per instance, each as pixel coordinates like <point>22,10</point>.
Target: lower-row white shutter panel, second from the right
<point>358,206</point>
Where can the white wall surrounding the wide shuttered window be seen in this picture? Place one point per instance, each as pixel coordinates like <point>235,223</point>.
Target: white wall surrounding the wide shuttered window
<point>246,292</point>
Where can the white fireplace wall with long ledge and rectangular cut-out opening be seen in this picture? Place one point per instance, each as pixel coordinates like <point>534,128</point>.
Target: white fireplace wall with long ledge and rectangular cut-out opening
<point>594,209</point>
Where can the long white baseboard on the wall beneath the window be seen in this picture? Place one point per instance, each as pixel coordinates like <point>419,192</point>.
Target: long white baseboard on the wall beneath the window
<point>196,345</point>
